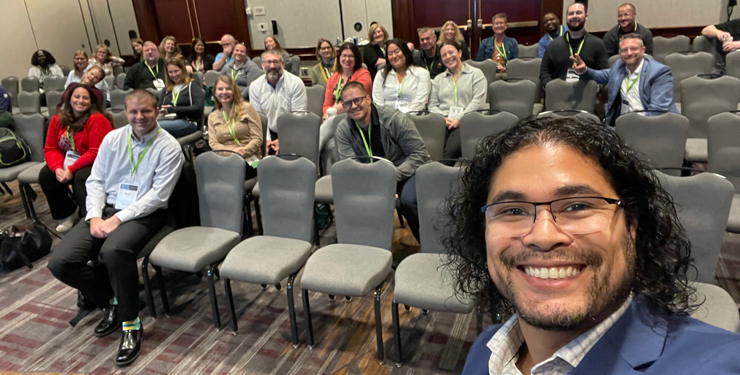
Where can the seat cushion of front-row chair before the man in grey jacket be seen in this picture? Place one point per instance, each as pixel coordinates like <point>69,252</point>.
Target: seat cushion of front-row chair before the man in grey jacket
<point>346,270</point>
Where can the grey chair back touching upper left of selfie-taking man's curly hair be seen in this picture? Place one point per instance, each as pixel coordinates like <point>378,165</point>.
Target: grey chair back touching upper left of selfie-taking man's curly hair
<point>475,126</point>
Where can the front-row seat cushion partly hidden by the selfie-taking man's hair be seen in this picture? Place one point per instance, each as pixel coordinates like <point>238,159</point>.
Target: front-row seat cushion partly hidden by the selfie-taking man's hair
<point>422,281</point>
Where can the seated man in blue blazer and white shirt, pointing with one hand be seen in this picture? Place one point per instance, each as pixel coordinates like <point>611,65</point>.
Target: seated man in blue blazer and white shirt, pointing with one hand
<point>636,82</point>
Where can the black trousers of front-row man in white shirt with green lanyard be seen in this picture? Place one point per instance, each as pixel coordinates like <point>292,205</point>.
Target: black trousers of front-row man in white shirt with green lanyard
<point>115,272</point>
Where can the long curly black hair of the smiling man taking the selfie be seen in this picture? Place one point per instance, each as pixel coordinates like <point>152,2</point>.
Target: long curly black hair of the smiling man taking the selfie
<point>662,249</point>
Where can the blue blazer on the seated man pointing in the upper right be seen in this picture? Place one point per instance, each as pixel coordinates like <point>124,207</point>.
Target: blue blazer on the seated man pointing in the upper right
<point>656,88</point>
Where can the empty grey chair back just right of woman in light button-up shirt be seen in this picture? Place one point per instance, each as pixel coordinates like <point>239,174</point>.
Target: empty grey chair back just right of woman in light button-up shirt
<point>514,97</point>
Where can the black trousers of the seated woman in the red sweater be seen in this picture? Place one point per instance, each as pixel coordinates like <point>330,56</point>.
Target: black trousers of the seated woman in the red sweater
<point>62,203</point>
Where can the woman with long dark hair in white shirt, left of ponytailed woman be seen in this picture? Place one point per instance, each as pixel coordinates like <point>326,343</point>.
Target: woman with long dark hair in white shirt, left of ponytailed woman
<point>401,84</point>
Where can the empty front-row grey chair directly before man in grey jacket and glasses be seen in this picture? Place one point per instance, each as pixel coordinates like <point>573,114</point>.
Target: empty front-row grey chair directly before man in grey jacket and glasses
<point>362,259</point>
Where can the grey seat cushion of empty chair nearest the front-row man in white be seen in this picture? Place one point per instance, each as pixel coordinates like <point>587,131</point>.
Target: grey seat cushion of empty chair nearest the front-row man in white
<point>191,249</point>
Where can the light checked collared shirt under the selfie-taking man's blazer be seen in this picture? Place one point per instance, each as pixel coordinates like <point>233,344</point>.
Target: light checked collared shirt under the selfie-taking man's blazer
<point>505,344</point>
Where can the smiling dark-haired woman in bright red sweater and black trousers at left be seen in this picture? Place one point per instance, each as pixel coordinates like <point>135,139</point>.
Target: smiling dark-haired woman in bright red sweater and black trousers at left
<point>72,142</point>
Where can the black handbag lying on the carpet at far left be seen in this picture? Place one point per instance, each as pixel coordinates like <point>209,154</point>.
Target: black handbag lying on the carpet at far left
<point>17,251</point>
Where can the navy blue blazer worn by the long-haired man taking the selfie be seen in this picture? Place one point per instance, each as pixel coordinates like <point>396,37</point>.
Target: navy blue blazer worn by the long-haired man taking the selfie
<point>641,342</point>
